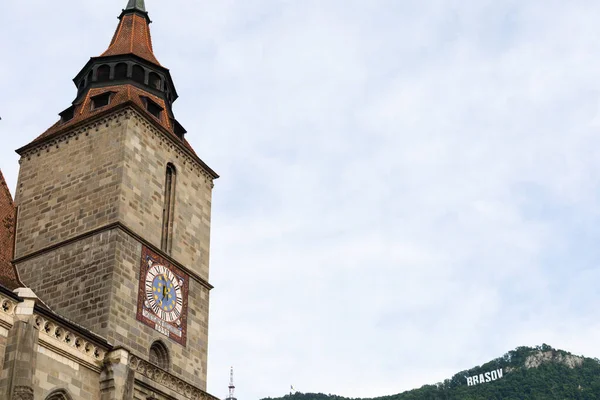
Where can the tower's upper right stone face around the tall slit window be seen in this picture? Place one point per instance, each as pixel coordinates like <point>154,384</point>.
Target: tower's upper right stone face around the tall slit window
<point>147,153</point>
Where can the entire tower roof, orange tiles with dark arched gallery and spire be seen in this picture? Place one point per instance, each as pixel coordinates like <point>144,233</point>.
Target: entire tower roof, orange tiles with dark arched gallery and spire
<point>151,93</point>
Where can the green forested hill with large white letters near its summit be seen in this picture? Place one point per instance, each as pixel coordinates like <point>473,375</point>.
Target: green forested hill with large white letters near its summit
<point>525,373</point>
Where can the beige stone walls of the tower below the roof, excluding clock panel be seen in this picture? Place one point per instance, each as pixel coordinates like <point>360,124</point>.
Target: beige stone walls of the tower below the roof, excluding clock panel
<point>85,201</point>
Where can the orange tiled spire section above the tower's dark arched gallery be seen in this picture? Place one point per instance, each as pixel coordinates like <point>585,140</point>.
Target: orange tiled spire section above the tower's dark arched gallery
<point>132,37</point>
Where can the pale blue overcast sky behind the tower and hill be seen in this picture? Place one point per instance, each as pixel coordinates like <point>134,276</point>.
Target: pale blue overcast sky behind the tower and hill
<point>409,188</point>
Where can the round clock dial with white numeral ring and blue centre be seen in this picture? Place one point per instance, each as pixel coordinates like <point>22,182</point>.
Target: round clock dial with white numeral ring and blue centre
<point>163,293</point>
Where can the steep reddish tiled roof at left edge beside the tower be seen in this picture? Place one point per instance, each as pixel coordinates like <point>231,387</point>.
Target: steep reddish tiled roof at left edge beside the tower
<point>8,273</point>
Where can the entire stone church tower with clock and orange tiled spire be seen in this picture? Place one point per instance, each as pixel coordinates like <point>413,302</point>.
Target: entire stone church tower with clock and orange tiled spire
<point>114,209</point>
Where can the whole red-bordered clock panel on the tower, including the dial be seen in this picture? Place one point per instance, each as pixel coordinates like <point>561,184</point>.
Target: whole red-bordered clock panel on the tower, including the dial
<point>162,296</point>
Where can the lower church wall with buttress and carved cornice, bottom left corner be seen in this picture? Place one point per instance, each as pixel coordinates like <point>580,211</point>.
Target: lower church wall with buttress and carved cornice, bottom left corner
<point>43,356</point>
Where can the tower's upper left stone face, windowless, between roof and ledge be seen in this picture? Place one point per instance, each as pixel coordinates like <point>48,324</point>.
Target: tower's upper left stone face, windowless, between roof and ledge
<point>69,186</point>
